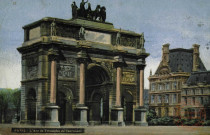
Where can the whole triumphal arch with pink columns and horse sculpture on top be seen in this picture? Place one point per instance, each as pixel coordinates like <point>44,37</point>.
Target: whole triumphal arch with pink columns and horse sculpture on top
<point>82,71</point>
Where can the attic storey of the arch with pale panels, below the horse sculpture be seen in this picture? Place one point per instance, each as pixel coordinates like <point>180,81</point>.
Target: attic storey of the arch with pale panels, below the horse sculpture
<point>82,29</point>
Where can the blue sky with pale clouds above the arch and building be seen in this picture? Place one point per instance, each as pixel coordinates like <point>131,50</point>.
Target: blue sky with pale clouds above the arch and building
<point>181,23</point>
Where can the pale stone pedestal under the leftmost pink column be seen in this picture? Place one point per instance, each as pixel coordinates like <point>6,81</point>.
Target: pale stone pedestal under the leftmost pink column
<point>53,114</point>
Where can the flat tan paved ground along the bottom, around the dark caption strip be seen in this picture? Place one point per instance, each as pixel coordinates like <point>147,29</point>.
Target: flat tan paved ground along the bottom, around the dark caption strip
<point>5,129</point>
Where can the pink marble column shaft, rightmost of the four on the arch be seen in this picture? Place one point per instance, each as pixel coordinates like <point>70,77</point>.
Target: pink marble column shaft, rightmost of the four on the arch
<point>141,93</point>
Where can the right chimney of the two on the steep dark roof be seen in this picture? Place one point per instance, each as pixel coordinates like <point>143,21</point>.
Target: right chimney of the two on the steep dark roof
<point>196,57</point>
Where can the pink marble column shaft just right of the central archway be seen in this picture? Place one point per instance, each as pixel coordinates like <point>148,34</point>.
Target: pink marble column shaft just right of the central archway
<point>118,83</point>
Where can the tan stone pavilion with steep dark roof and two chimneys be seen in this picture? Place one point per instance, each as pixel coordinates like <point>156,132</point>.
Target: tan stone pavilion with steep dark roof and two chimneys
<point>166,85</point>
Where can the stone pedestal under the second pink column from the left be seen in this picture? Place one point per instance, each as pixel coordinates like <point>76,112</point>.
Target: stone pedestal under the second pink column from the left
<point>82,118</point>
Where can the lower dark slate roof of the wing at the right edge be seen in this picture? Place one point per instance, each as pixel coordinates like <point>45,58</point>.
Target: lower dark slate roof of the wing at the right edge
<point>199,77</point>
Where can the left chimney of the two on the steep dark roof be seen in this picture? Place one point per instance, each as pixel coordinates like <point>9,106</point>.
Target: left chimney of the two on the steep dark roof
<point>165,54</point>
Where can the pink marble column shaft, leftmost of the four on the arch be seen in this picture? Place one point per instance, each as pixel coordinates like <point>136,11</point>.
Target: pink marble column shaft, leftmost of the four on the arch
<point>53,82</point>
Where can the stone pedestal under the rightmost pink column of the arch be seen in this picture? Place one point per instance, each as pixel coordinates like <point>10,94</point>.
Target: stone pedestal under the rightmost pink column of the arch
<point>140,117</point>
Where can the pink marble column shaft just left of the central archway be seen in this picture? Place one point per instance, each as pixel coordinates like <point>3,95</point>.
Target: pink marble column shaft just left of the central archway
<point>82,84</point>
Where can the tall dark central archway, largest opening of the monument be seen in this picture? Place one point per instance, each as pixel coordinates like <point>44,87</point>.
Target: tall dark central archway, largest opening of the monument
<point>97,95</point>
